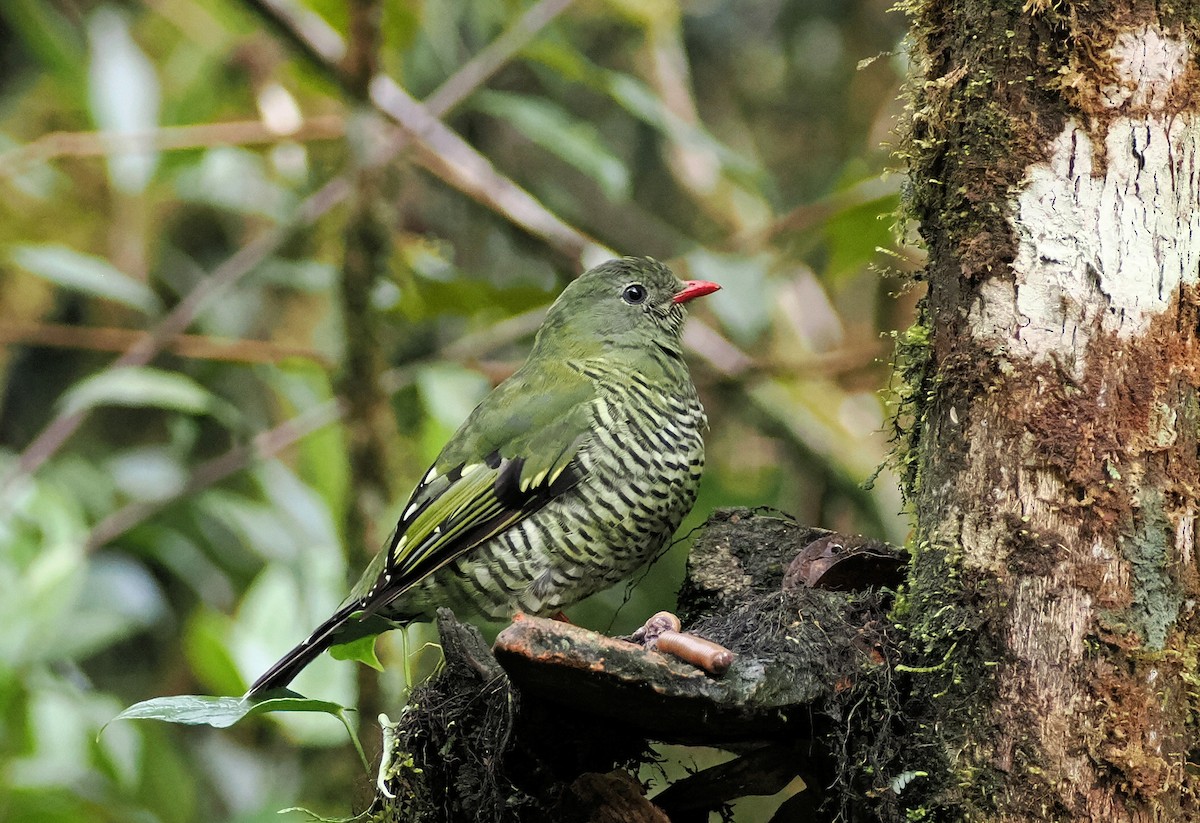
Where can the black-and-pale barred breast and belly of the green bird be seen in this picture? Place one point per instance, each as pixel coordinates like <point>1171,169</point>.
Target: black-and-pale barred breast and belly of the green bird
<point>641,472</point>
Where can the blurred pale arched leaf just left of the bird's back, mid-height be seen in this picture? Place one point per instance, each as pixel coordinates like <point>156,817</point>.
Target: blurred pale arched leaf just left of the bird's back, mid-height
<point>140,387</point>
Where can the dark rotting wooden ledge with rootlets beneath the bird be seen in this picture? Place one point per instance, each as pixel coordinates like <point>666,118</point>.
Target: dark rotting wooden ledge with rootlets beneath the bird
<point>536,728</point>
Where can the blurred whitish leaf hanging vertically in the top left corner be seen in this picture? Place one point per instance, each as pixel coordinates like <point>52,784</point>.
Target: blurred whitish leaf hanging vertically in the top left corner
<point>124,97</point>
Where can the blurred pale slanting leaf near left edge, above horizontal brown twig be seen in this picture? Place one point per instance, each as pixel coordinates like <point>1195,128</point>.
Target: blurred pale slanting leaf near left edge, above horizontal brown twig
<point>85,273</point>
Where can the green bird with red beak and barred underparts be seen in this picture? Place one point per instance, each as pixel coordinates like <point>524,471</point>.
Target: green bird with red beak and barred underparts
<point>563,480</point>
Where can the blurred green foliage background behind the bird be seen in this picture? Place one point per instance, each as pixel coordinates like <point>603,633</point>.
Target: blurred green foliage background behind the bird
<point>171,524</point>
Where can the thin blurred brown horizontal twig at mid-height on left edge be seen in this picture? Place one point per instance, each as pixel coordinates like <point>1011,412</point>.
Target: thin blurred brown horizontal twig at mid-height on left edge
<point>185,346</point>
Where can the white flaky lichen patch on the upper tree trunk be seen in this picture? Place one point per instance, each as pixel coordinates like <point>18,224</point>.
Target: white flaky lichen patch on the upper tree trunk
<point>1109,227</point>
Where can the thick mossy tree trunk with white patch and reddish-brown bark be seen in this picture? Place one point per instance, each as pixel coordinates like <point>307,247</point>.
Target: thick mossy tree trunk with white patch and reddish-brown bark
<point>1053,459</point>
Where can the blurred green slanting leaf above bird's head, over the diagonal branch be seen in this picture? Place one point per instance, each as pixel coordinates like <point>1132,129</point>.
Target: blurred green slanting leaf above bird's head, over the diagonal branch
<point>553,128</point>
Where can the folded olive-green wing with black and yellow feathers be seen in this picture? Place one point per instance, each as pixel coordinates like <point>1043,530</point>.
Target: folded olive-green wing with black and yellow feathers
<point>515,453</point>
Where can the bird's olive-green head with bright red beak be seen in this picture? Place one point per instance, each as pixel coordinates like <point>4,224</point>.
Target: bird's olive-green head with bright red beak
<point>626,304</point>
